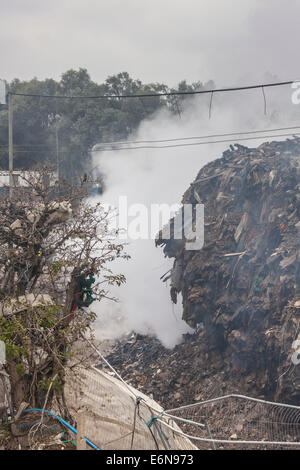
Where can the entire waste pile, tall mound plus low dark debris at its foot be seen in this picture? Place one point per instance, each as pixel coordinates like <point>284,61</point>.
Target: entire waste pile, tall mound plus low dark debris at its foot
<point>240,292</point>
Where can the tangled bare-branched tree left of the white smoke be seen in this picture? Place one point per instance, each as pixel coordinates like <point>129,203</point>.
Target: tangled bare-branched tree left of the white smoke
<point>56,251</point>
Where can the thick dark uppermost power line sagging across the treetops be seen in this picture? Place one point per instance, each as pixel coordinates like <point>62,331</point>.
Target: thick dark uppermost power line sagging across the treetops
<point>152,95</point>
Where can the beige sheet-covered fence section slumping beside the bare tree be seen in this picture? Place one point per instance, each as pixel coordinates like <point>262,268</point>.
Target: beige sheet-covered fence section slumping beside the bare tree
<point>118,417</point>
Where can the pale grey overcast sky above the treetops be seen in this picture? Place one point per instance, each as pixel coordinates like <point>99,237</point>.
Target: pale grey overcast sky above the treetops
<point>229,41</point>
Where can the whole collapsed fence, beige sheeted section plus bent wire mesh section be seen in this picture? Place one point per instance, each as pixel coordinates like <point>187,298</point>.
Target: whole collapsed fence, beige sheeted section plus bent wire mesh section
<point>226,422</point>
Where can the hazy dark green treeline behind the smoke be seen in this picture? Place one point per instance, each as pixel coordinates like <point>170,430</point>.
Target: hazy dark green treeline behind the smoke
<point>65,130</point>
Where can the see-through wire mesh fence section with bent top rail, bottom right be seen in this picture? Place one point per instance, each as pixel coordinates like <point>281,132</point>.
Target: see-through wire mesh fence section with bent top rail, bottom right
<point>239,422</point>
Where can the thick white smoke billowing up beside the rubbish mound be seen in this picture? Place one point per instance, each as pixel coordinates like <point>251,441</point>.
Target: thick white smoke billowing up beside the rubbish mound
<point>162,176</point>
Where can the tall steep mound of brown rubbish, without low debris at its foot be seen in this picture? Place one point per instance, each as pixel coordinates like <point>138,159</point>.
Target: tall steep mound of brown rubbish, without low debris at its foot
<point>243,287</point>
